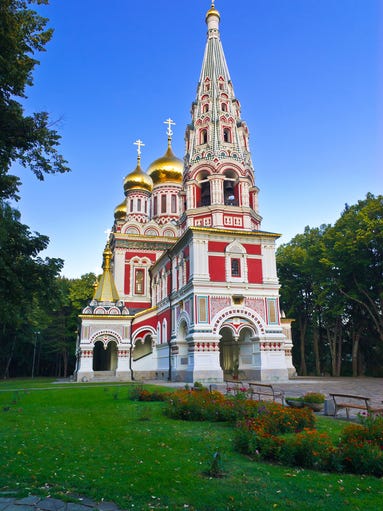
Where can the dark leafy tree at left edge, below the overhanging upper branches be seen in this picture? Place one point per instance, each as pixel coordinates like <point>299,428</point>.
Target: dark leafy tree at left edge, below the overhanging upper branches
<point>26,281</point>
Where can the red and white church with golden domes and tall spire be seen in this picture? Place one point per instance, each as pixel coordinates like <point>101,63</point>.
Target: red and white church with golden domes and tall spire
<point>189,290</point>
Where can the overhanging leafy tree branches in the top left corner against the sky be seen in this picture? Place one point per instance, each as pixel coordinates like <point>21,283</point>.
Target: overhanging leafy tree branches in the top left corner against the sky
<point>28,139</point>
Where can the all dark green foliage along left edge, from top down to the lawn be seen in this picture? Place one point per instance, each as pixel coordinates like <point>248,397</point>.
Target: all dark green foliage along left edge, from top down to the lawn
<point>28,285</point>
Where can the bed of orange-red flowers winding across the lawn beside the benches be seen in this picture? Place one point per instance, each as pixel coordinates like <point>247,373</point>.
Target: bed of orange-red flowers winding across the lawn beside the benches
<point>272,432</point>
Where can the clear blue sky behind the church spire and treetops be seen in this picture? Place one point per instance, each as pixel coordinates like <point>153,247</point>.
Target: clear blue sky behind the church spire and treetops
<point>308,74</point>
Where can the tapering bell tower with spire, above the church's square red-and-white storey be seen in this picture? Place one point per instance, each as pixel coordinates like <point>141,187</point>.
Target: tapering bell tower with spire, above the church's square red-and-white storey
<point>219,176</point>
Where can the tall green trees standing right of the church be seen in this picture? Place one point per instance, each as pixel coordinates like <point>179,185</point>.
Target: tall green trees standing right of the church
<point>332,286</point>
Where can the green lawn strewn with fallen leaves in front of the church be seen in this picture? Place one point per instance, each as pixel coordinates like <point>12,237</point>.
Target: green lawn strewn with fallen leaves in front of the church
<point>93,441</point>
